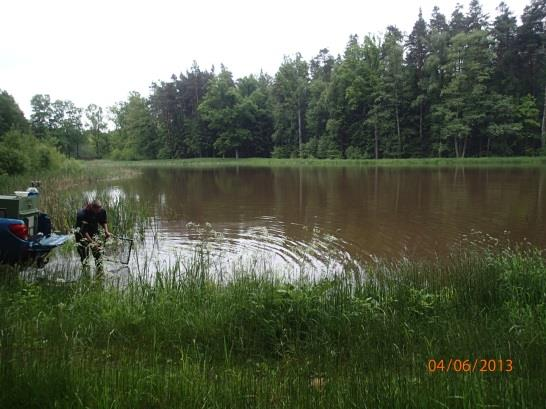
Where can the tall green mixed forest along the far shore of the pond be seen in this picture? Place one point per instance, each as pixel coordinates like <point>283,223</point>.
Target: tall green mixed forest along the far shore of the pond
<point>464,85</point>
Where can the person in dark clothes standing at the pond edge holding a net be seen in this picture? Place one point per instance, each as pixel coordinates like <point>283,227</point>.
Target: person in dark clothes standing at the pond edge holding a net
<point>88,220</point>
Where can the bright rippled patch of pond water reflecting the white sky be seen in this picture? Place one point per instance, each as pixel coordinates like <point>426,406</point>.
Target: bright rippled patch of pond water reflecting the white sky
<point>306,250</point>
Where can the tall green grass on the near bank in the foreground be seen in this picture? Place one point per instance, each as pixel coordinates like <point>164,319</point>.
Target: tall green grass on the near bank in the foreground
<point>190,341</point>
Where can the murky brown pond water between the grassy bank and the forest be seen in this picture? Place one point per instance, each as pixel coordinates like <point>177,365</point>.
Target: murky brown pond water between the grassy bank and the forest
<point>319,218</point>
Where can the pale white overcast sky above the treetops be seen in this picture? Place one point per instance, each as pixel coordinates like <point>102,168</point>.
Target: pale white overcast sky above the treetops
<point>97,51</point>
